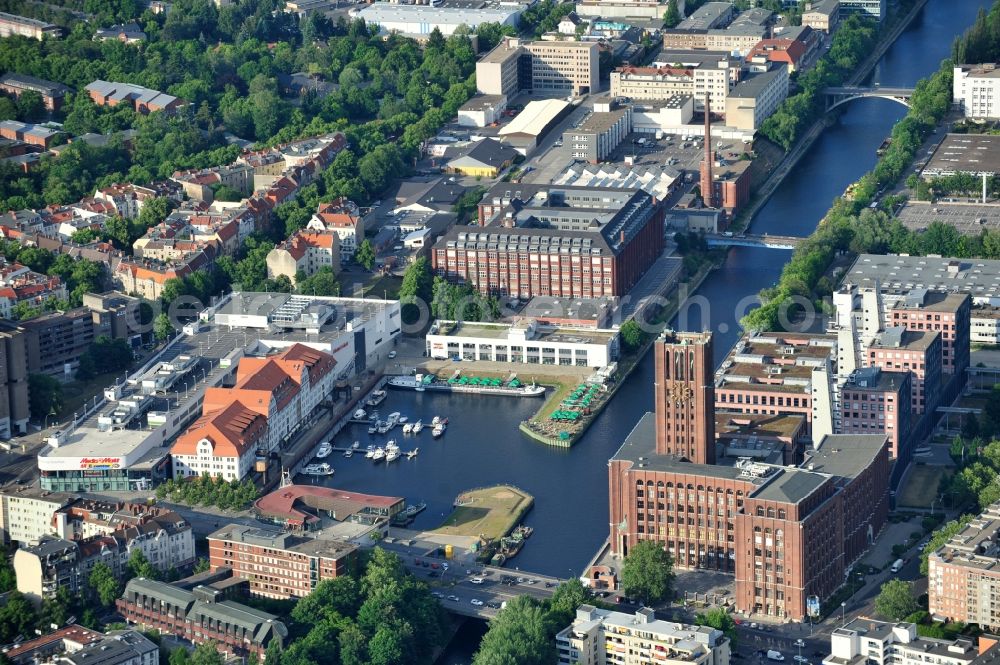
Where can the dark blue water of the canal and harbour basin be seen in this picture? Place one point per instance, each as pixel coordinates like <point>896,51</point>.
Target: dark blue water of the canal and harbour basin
<point>482,445</point>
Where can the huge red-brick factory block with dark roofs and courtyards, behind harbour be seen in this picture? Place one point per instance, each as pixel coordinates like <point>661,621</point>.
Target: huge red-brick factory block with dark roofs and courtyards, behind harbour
<point>548,240</point>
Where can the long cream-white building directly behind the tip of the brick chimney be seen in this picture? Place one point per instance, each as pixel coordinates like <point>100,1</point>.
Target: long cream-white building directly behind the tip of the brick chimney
<point>692,73</point>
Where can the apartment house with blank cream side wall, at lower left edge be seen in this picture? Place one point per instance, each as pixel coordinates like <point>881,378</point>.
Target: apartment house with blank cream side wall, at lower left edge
<point>44,568</point>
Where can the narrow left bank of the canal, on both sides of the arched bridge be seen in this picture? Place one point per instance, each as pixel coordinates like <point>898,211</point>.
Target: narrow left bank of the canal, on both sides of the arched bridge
<point>744,219</point>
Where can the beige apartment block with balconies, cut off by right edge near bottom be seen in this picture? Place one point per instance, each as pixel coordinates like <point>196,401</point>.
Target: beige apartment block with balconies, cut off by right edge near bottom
<point>963,576</point>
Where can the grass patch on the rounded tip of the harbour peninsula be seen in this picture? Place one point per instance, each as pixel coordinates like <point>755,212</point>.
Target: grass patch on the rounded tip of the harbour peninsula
<point>489,511</point>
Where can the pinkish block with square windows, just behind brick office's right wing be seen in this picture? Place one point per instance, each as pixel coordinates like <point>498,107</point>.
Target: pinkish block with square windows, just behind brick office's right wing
<point>873,401</point>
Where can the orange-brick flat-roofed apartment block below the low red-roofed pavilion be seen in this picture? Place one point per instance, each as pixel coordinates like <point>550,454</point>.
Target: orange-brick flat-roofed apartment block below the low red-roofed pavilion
<point>278,564</point>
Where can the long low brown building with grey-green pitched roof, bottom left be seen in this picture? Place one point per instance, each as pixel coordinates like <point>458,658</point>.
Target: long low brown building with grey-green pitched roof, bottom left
<point>200,615</point>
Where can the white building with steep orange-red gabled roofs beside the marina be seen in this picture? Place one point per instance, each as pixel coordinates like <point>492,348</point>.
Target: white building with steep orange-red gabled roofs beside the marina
<point>272,397</point>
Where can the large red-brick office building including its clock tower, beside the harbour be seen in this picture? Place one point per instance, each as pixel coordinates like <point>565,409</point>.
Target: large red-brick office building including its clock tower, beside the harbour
<point>786,533</point>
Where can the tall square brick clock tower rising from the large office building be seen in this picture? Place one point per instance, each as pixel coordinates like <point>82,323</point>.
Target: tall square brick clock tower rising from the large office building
<point>685,396</point>
